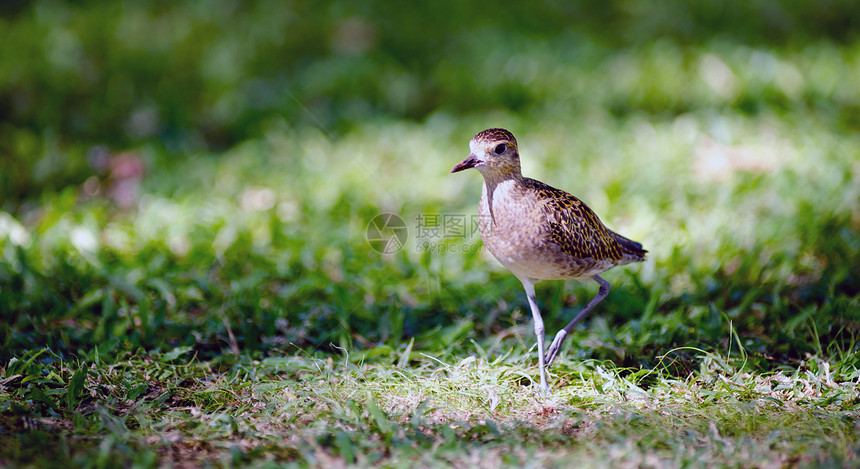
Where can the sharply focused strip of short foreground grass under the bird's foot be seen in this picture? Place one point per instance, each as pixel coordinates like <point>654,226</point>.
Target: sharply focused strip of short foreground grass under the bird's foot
<point>481,410</point>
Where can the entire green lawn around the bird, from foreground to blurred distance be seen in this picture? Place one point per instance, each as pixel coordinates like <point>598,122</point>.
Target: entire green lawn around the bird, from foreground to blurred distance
<point>224,307</point>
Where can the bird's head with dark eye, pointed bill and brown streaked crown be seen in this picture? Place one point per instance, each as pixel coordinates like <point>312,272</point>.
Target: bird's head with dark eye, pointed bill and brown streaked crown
<point>494,153</point>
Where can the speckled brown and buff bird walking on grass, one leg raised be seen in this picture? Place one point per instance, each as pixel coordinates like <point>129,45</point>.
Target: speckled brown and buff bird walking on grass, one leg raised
<point>539,232</point>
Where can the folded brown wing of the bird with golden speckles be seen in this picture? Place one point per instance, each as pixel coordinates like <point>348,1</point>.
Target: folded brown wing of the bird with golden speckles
<point>574,226</point>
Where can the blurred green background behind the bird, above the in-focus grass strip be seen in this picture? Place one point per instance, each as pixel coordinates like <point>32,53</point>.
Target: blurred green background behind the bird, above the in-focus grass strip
<point>202,173</point>
